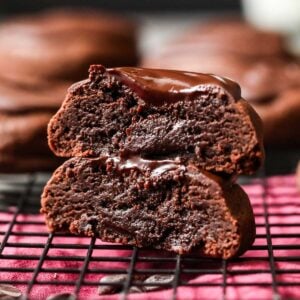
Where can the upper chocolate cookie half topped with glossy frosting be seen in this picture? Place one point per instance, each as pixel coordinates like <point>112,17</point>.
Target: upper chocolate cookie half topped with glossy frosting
<point>156,113</point>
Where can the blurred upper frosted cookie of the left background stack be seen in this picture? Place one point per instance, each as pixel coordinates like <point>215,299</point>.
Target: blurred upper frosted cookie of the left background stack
<point>62,44</point>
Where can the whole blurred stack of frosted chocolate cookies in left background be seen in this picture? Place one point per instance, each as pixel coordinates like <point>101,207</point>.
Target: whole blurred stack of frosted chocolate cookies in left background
<point>41,55</point>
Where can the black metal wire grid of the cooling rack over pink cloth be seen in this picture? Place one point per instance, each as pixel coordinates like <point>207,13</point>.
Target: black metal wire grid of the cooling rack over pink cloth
<point>21,195</point>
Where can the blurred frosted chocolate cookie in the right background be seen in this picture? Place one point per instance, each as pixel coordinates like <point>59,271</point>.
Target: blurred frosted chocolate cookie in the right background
<point>258,60</point>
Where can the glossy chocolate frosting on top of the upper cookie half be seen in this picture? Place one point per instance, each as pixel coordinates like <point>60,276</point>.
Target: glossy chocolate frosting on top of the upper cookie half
<point>158,86</point>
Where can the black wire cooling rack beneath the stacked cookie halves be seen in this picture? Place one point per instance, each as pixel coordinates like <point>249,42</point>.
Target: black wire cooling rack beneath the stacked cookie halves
<point>61,262</point>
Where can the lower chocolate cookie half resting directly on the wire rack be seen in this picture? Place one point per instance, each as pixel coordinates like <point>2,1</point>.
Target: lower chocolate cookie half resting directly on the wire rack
<point>158,204</point>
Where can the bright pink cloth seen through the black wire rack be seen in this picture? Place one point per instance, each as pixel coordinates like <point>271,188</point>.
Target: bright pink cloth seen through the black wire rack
<point>283,200</point>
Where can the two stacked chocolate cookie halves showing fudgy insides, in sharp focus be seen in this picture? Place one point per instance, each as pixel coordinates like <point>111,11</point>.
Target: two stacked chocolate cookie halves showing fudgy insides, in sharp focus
<point>154,155</point>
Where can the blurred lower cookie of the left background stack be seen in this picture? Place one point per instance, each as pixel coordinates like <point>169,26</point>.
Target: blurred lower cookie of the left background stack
<point>24,115</point>
